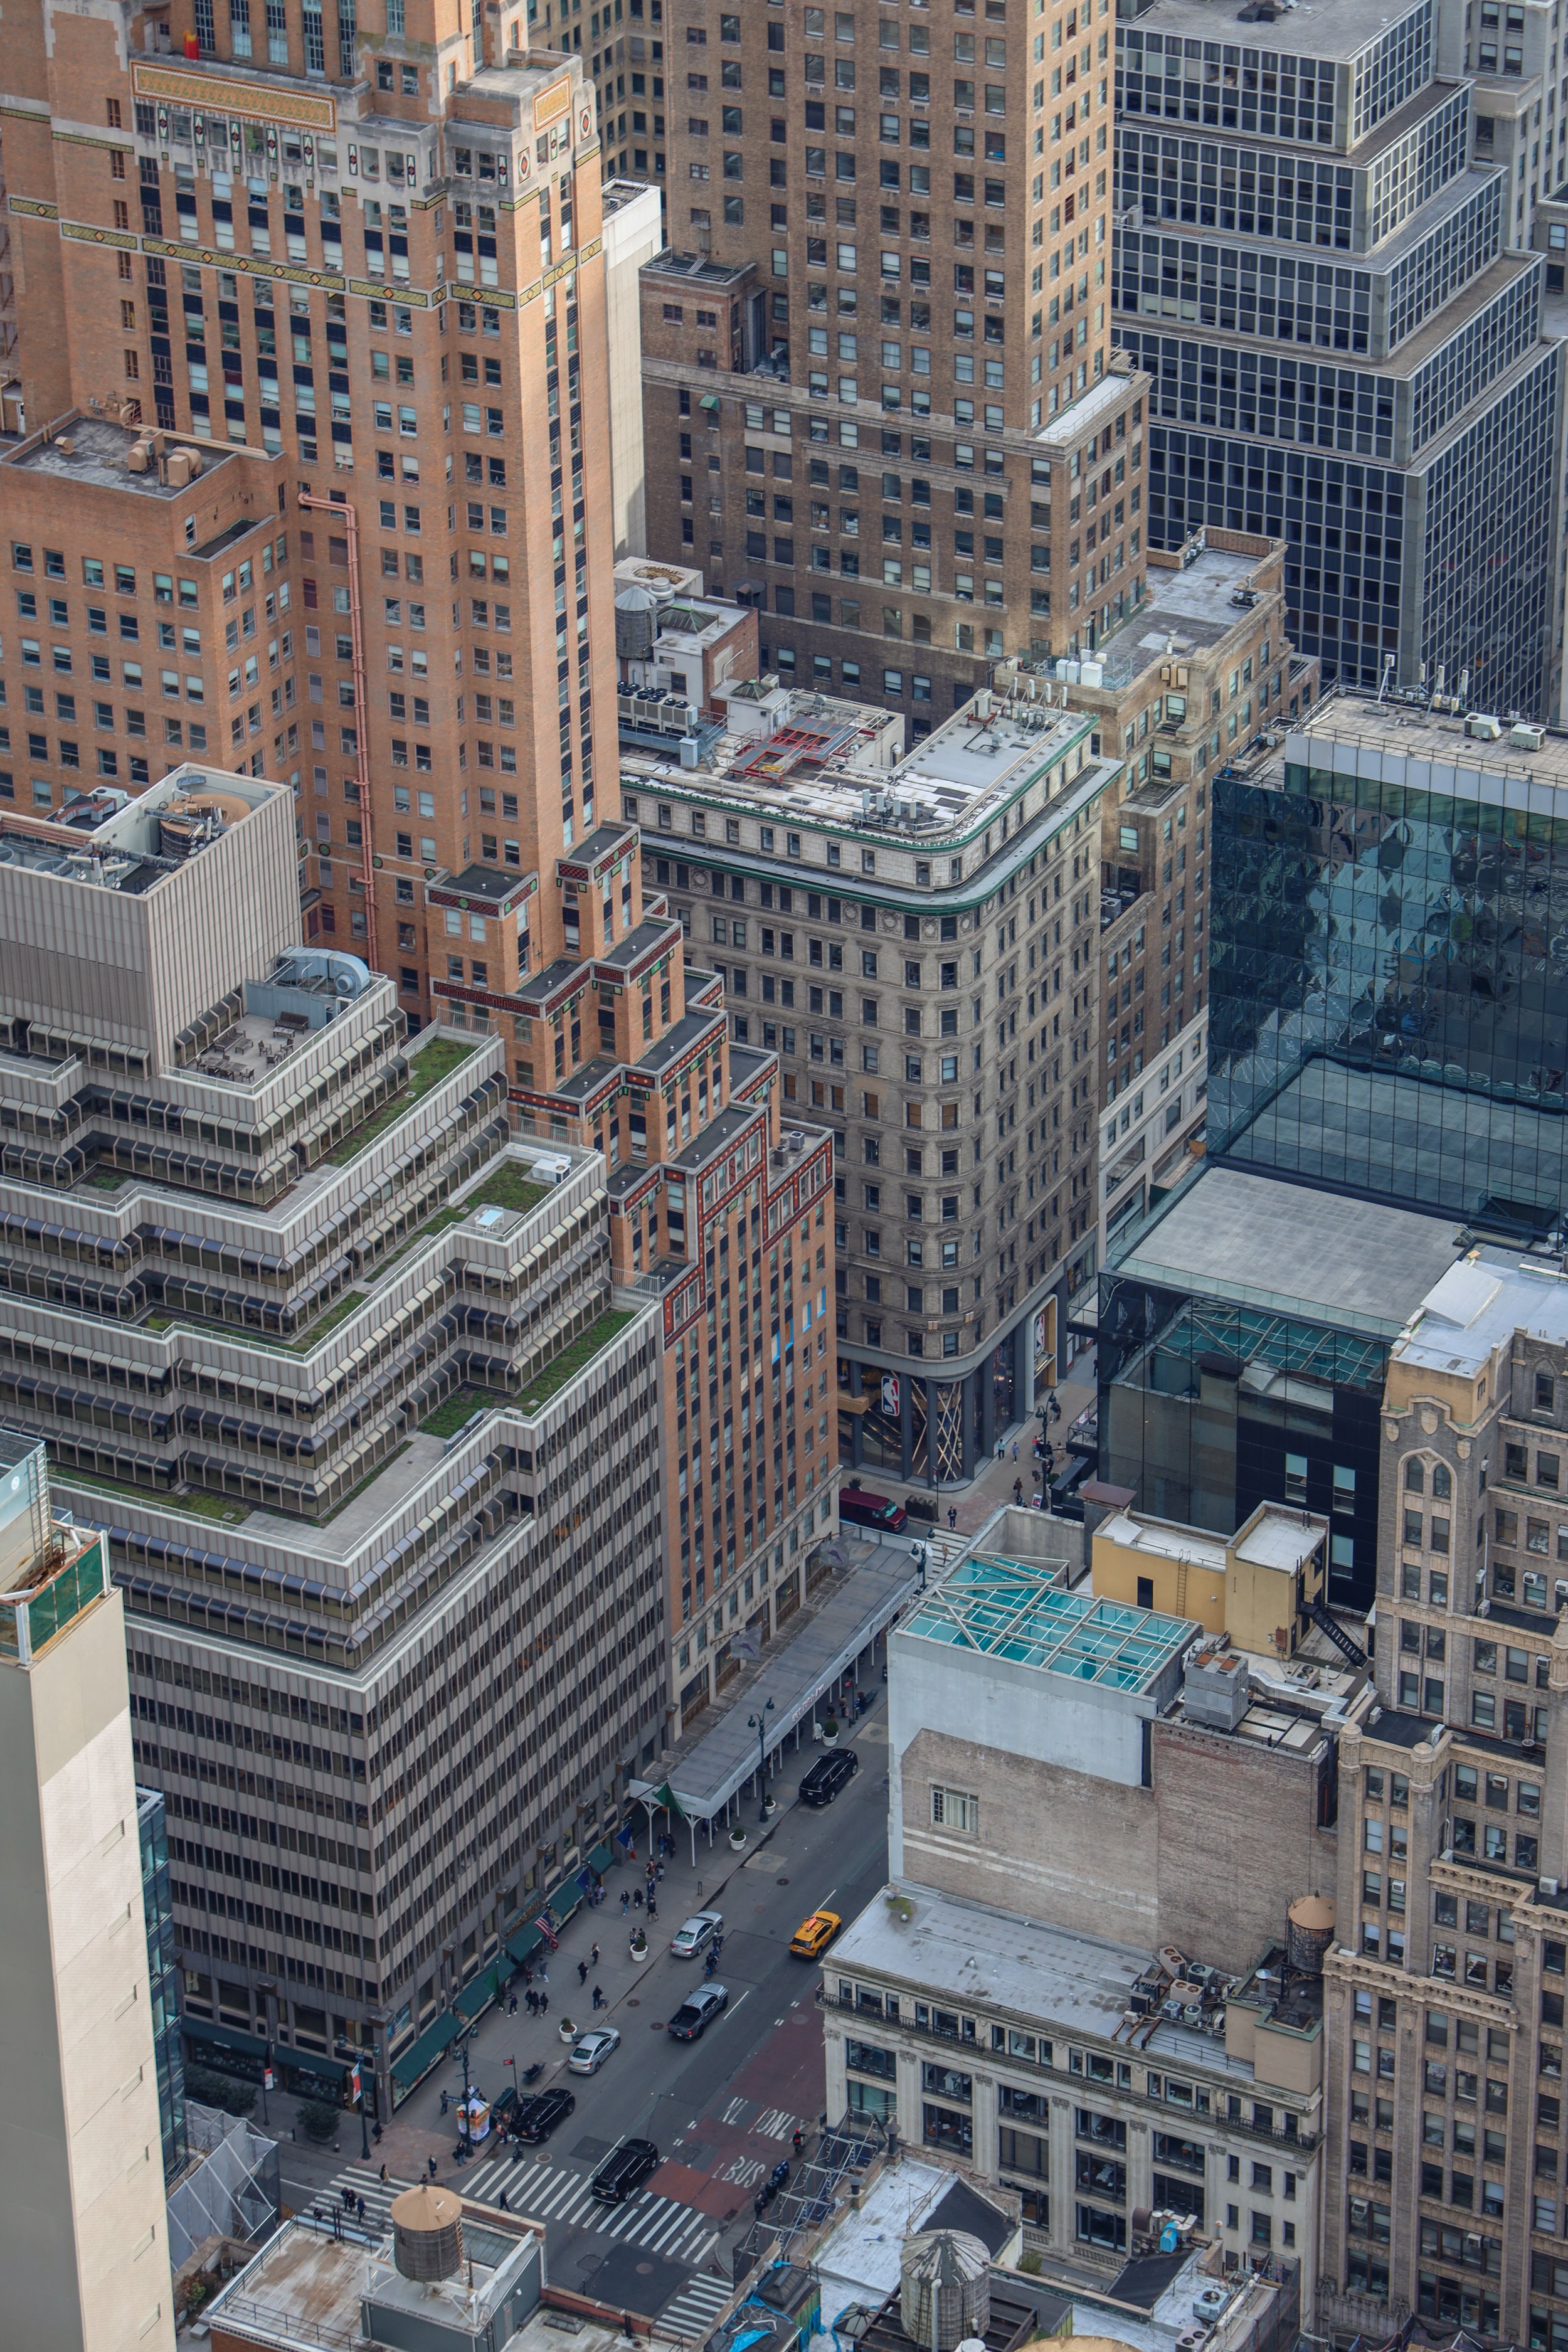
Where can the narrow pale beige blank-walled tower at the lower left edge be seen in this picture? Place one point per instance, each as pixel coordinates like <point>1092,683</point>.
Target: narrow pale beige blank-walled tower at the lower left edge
<point>86,2240</point>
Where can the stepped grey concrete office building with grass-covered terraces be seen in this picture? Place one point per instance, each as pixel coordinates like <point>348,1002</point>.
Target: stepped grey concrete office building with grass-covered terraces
<point>264,1269</point>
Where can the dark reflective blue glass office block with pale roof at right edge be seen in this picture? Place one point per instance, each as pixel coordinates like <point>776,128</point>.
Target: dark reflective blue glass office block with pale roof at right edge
<point>1391,965</point>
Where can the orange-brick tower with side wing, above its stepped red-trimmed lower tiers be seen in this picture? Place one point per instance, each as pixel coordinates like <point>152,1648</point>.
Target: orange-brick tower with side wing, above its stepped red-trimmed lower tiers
<point>366,276</point>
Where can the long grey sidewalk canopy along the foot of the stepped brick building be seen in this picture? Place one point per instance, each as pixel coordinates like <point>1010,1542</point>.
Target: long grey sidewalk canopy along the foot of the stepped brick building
<point>864,1605</point>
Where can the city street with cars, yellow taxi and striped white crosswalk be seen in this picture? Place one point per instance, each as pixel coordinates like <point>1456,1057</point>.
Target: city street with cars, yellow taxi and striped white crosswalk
<point>721,2111</point>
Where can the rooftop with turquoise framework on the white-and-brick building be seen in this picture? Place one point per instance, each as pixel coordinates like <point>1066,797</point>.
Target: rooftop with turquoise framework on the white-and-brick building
<point>1017,1612</point>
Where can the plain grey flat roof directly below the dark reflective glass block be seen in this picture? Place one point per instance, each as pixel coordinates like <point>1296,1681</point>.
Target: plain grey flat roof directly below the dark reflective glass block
<point>1325,1257</point>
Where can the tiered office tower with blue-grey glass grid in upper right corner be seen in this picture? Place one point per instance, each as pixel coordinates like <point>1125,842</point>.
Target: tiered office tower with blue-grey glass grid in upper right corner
<point>1391,403</point>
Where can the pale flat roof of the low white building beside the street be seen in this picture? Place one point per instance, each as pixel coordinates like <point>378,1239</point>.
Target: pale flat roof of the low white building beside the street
<point>1052,1977</point>
